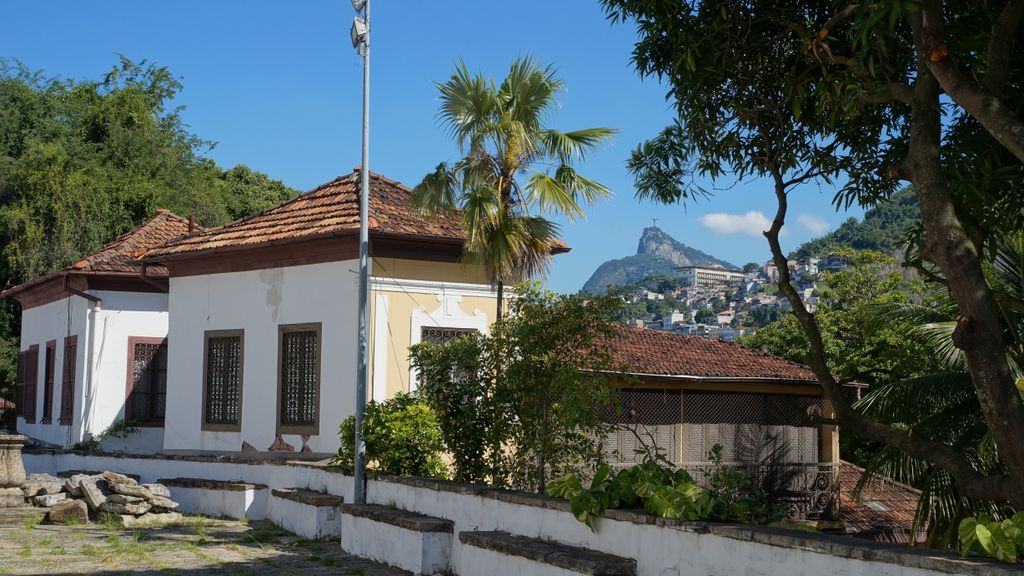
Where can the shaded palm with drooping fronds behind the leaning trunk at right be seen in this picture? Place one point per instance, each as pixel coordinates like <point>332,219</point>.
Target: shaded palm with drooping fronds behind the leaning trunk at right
<point>944,406</point>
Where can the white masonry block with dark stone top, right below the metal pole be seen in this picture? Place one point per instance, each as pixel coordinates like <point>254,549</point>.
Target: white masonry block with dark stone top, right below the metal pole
<point>408,541</point>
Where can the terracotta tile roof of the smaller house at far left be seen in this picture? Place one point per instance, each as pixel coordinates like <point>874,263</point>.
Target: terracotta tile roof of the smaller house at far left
<point>125,254</point>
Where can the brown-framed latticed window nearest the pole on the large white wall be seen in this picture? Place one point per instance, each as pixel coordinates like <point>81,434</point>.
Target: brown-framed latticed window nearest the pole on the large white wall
<point>298,402</point>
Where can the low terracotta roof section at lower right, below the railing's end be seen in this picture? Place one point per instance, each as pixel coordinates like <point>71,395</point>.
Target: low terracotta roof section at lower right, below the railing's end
<point>884,506</point>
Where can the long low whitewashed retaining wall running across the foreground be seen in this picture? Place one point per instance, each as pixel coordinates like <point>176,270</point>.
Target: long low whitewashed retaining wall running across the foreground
<point>662,548</point>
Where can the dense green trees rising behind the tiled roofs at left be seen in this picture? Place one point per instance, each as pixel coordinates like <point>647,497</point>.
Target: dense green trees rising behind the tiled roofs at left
<point>82,161</point>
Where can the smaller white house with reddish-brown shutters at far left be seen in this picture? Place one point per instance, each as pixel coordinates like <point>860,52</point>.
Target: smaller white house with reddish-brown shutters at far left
<point>94,344</point>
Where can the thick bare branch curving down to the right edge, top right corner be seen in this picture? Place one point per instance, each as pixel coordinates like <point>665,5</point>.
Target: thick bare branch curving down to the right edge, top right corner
<point>994,114</point>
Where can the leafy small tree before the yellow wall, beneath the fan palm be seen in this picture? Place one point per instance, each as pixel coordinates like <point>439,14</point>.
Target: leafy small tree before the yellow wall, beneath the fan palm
<point>543,416</point>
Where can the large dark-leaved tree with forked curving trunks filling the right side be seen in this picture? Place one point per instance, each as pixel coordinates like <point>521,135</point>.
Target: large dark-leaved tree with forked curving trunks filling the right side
<point>809,93</point>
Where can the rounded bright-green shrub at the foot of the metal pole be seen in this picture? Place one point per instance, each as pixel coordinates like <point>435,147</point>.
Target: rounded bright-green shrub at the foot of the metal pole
<point>402,436</point>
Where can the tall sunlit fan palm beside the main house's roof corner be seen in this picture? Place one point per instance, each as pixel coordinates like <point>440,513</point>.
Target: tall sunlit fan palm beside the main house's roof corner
<point>511,167</point>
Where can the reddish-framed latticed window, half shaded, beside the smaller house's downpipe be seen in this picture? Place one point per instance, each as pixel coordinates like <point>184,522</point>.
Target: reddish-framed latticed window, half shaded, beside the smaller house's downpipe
<point>148,381</point>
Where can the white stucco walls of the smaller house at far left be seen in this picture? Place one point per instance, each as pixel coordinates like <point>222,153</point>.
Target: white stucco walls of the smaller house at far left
<point>102,371</point>
